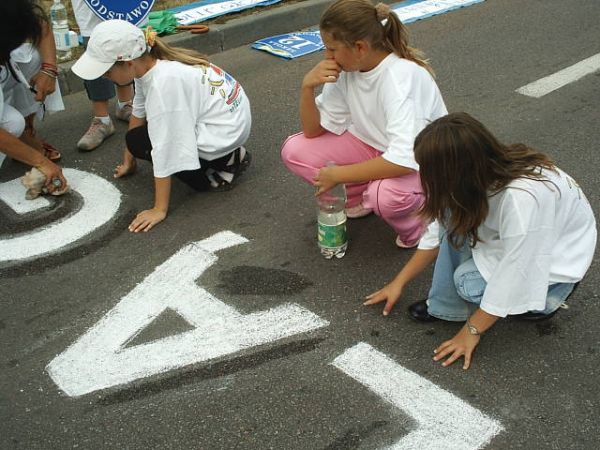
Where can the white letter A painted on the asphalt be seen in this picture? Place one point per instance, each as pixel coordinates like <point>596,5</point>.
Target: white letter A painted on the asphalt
<point>100,358</point>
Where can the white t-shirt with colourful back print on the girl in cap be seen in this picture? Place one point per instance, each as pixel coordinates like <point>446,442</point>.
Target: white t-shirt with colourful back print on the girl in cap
<point>191,112</point>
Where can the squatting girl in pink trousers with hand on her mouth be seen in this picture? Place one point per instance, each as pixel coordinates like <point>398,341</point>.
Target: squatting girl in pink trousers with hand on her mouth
<point>378,93</point>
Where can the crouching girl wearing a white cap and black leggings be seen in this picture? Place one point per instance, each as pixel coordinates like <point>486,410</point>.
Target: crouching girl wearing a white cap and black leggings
<point>190,118</point>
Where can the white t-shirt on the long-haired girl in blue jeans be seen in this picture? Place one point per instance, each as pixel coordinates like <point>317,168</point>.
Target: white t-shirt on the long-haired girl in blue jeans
<point>536,233</point>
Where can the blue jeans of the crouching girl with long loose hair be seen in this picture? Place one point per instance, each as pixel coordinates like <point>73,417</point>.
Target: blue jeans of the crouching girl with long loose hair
<point>457,286</point>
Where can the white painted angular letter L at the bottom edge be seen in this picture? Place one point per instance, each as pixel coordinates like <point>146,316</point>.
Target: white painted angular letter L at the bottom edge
<point>444,422</point>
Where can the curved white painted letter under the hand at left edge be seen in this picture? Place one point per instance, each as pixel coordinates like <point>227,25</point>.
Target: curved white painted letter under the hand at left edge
<point>101,201</point>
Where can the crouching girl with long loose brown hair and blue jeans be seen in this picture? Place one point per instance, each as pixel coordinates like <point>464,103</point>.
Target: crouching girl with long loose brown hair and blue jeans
<point>515,236</point>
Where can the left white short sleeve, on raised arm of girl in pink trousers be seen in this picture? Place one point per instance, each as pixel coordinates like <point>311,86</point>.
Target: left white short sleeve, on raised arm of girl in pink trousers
<point>333,108</point>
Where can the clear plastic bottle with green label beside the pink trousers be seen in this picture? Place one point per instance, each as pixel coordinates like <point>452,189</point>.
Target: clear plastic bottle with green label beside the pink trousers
<point>332,237</point>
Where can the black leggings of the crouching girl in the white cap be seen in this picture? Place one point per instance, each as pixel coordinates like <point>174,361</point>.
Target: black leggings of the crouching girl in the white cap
<point>139,145</point>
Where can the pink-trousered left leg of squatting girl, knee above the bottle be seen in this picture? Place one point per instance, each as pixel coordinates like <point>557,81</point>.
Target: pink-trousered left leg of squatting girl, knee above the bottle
<point>304,157</point>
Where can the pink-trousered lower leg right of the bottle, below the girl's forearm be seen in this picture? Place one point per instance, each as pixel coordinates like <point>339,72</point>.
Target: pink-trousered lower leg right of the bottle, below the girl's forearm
<point>397,201</point>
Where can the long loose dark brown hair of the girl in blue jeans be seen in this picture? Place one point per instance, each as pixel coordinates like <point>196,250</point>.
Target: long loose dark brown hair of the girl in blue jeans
<point>461,164</point>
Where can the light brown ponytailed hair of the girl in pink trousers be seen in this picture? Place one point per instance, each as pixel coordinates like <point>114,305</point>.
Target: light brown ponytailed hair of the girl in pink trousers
<point>349,21</point>
